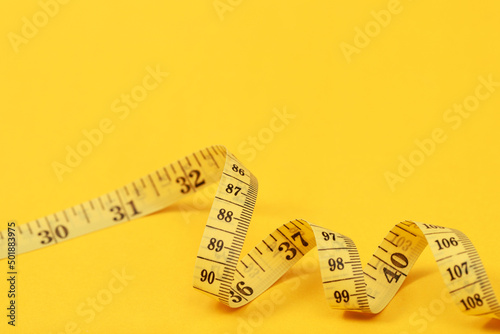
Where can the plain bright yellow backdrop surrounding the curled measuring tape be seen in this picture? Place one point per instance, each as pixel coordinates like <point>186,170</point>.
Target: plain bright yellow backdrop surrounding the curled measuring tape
<point>227,77</point>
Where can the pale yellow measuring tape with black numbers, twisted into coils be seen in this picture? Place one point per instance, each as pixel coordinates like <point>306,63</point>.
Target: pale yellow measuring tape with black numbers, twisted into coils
<point>221,274</point>
